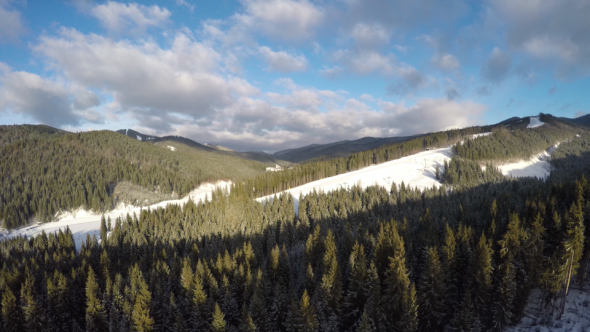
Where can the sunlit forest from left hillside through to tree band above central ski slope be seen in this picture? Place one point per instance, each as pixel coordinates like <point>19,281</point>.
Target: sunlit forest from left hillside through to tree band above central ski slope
<point>46,170</point>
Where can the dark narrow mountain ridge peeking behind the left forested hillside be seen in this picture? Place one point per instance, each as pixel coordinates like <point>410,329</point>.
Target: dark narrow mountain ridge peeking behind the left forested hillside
<point>265,158</point>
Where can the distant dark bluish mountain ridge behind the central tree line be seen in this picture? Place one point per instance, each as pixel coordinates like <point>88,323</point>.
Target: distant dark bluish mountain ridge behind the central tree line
<point>337,149</point>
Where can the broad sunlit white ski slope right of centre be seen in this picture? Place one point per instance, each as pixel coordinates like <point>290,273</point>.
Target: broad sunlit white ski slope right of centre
<point>418,170</point>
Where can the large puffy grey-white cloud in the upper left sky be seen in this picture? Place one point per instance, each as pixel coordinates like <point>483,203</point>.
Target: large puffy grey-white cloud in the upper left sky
<point>183,78</point>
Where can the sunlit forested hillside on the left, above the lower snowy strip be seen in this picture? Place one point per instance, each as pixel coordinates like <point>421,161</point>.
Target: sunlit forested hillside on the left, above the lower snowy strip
<point>45,170</point>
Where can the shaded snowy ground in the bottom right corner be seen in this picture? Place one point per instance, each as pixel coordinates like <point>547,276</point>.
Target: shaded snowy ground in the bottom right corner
<point>576,316</point>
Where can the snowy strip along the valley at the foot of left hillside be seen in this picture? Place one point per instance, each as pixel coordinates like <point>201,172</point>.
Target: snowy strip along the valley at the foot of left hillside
<point>82,222</point>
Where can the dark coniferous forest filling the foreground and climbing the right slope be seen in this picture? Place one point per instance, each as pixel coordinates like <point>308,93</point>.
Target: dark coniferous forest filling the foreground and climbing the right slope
<point>462,257</point>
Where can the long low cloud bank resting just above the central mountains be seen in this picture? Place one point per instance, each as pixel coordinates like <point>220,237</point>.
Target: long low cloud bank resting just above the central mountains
<point>254,123</point>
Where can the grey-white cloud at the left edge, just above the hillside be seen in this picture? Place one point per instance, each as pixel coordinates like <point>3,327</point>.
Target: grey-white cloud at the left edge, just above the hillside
<point>47,101</point>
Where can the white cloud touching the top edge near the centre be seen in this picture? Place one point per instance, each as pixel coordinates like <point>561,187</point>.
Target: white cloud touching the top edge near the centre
<point>289,20</point>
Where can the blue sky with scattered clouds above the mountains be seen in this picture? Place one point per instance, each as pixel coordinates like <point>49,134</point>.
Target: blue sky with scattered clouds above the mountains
<point>268,75</point>
